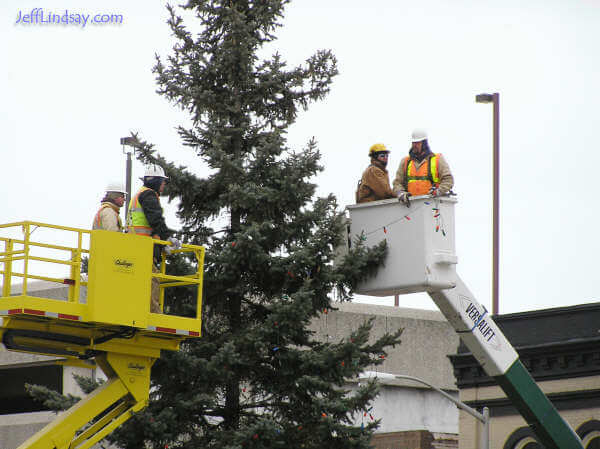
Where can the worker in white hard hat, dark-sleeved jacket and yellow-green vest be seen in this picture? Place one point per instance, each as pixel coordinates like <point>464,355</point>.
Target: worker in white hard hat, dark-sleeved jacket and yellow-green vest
<point>146,218</point>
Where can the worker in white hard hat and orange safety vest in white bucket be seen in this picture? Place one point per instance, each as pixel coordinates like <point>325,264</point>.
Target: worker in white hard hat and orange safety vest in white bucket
<point>422,172</point>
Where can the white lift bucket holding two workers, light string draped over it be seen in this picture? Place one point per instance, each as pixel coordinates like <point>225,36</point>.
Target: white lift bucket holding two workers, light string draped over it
<point>420,239</point>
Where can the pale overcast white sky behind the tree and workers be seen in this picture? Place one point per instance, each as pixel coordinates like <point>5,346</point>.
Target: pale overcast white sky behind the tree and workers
<point>68,93</point>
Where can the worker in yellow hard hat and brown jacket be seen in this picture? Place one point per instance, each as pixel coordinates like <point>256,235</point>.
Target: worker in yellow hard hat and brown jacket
<point>375,183</point>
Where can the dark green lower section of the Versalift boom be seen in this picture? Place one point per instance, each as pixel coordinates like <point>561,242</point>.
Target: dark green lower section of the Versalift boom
<point>537,410</point>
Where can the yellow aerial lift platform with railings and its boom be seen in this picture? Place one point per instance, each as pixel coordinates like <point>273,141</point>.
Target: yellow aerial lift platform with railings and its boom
<point>110,324</point>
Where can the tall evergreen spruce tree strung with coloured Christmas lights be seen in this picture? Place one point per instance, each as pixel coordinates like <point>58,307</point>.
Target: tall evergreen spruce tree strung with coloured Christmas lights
<point>257,378</point>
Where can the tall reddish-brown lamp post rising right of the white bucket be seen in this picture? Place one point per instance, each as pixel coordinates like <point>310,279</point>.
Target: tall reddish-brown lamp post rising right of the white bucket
<point>495,99</point>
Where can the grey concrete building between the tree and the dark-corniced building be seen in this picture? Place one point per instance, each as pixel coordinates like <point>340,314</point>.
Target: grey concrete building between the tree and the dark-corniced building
<point>412,415</point>
